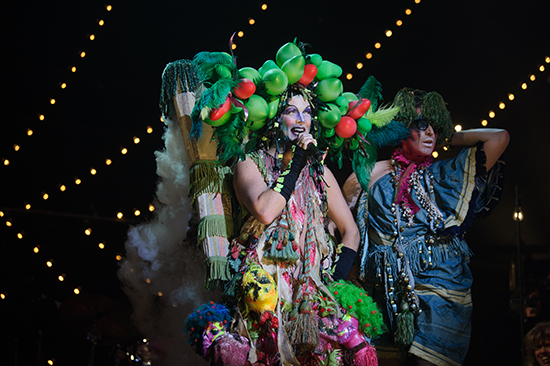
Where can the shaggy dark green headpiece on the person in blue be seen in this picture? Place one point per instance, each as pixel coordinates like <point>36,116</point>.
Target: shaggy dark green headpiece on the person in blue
<point>417,104</point>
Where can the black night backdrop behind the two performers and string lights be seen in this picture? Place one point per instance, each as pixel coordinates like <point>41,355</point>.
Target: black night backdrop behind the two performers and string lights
<point>472,52</point>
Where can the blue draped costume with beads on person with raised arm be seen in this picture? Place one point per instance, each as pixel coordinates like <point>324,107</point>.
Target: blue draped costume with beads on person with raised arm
<point>416,255</point>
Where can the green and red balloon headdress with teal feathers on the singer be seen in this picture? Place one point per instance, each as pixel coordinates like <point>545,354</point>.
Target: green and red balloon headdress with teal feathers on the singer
<point>244,106</point>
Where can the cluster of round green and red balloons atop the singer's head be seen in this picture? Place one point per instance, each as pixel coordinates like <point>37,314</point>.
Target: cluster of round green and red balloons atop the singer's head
<point>241,103</point>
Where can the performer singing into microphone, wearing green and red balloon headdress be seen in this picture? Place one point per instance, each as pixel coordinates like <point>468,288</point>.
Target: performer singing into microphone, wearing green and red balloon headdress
<point>282,271</point>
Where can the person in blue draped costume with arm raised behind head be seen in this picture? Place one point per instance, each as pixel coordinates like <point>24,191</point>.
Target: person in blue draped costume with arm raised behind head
<point>413,214</point>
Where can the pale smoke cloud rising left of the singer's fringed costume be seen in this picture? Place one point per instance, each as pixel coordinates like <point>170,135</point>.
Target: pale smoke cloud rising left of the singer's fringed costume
<point>159,260</point>
